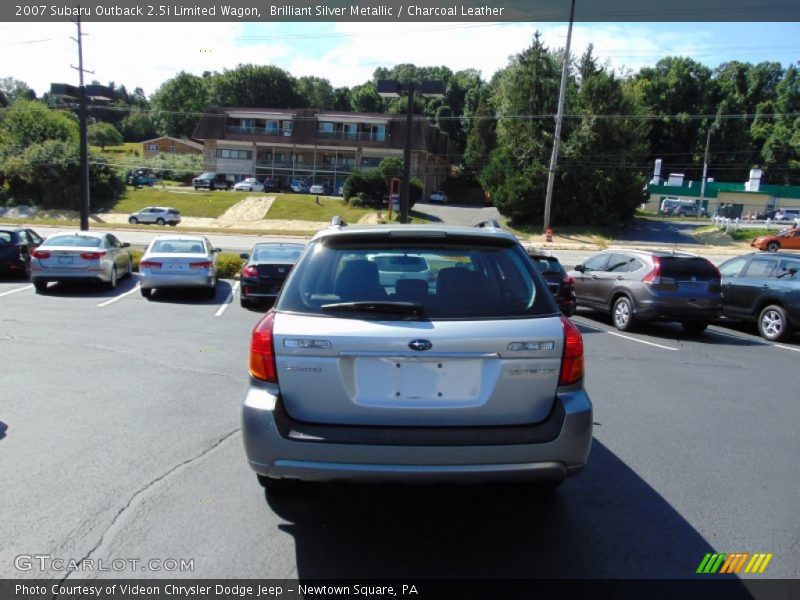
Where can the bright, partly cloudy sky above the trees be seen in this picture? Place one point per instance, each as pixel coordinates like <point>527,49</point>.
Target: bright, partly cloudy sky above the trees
<point>147,54</point>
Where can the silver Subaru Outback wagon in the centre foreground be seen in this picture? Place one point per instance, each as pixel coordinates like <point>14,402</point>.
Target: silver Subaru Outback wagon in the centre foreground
<point>467,374</point>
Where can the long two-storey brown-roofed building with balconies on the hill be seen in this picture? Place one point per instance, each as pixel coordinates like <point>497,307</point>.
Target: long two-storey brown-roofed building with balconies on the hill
<point>317,146</point>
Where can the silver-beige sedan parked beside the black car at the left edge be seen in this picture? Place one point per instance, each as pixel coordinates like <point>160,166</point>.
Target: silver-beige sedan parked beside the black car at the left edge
<point>80,256</point>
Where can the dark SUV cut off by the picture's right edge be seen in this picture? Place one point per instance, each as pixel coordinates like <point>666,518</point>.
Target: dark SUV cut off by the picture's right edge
<point>764,288</point>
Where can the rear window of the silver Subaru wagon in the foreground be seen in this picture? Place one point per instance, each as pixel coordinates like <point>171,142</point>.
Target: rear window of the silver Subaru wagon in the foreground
<point>470,280</point>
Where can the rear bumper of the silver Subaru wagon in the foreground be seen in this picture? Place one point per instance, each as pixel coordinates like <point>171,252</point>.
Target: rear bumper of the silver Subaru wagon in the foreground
<point>554,449</point>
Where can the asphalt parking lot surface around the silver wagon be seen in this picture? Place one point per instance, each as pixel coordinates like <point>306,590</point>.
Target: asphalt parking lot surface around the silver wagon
<point>119,439</point>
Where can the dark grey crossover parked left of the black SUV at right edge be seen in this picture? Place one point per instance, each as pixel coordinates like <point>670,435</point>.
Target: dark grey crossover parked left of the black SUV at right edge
<point>636,285</point>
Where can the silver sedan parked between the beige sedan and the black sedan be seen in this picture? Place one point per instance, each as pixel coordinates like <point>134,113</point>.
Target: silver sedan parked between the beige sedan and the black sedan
<point>186,261</point>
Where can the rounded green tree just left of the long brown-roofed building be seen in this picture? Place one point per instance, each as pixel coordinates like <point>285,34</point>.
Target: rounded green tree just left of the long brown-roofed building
<point>179,103</point>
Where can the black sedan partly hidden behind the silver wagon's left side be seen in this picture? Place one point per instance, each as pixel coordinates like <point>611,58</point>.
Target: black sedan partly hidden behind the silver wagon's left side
<point>267,267</point>
